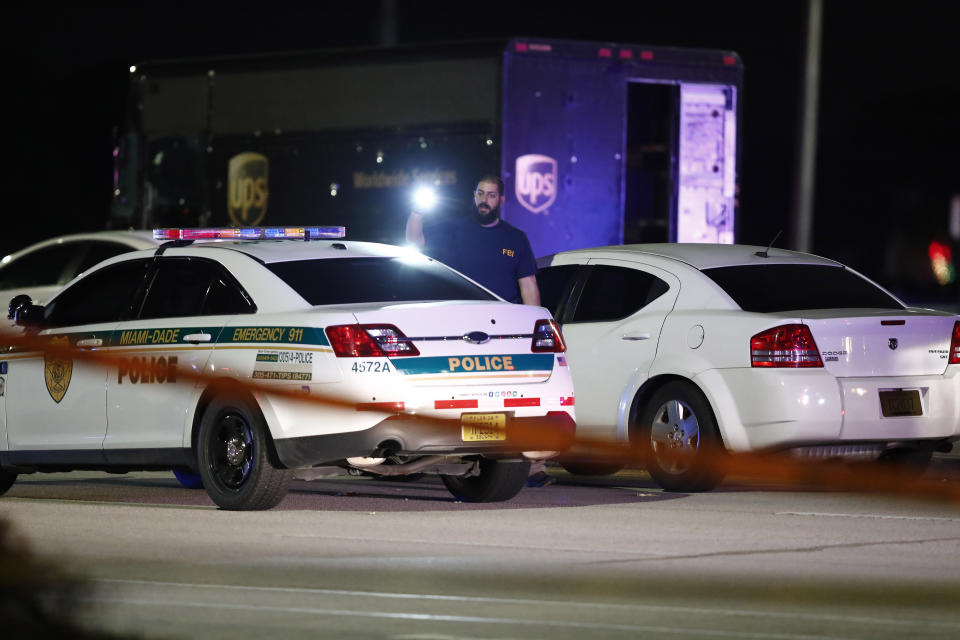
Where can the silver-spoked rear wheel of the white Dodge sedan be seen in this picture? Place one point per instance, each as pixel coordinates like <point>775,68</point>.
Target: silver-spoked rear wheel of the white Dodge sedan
<point>680,440</point>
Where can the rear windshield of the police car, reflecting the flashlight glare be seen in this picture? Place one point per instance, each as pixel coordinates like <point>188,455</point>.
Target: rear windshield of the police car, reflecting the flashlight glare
<point>351,280</point>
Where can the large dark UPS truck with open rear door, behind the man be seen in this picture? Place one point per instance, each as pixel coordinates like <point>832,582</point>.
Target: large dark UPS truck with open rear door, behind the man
<point>597,143</point>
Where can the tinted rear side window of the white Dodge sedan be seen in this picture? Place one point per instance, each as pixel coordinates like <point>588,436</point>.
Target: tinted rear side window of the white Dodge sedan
<point>613,293</point>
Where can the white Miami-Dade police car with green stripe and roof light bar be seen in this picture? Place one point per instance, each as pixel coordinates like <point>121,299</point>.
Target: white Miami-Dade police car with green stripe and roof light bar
<point>250,357</point>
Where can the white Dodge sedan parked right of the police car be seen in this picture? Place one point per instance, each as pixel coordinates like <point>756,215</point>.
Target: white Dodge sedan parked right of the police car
<point>688,350</point>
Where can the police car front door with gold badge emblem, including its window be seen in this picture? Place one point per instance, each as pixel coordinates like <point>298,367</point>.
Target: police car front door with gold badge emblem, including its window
<point>57,400</point>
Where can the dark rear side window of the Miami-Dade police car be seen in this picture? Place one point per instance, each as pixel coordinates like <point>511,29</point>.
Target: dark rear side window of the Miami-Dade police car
<point>185,287</point>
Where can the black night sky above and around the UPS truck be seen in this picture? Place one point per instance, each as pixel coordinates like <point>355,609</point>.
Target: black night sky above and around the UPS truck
<point>889,132</point>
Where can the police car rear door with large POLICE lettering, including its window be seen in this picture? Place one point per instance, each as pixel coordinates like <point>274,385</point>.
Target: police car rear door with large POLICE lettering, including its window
<point>153,386</point>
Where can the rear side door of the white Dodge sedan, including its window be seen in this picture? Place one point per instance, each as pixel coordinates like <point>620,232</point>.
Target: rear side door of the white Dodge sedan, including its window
<point>612,335</point>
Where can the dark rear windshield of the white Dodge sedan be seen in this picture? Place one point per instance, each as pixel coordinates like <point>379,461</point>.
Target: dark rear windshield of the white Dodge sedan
<point>790,287</point>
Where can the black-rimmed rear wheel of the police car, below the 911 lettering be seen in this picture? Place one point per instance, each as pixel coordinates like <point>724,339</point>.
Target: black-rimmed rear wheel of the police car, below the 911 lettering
<point>233,452</point>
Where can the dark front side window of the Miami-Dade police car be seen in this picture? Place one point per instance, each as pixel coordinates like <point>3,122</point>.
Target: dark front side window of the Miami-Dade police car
<point>103,296</point>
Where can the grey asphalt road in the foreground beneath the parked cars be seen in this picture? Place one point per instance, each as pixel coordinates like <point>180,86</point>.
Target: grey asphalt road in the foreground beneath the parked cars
<point>610,557</point>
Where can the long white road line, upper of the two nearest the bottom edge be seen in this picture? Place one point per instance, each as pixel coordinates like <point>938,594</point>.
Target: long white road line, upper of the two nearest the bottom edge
<point>551,603</point>
